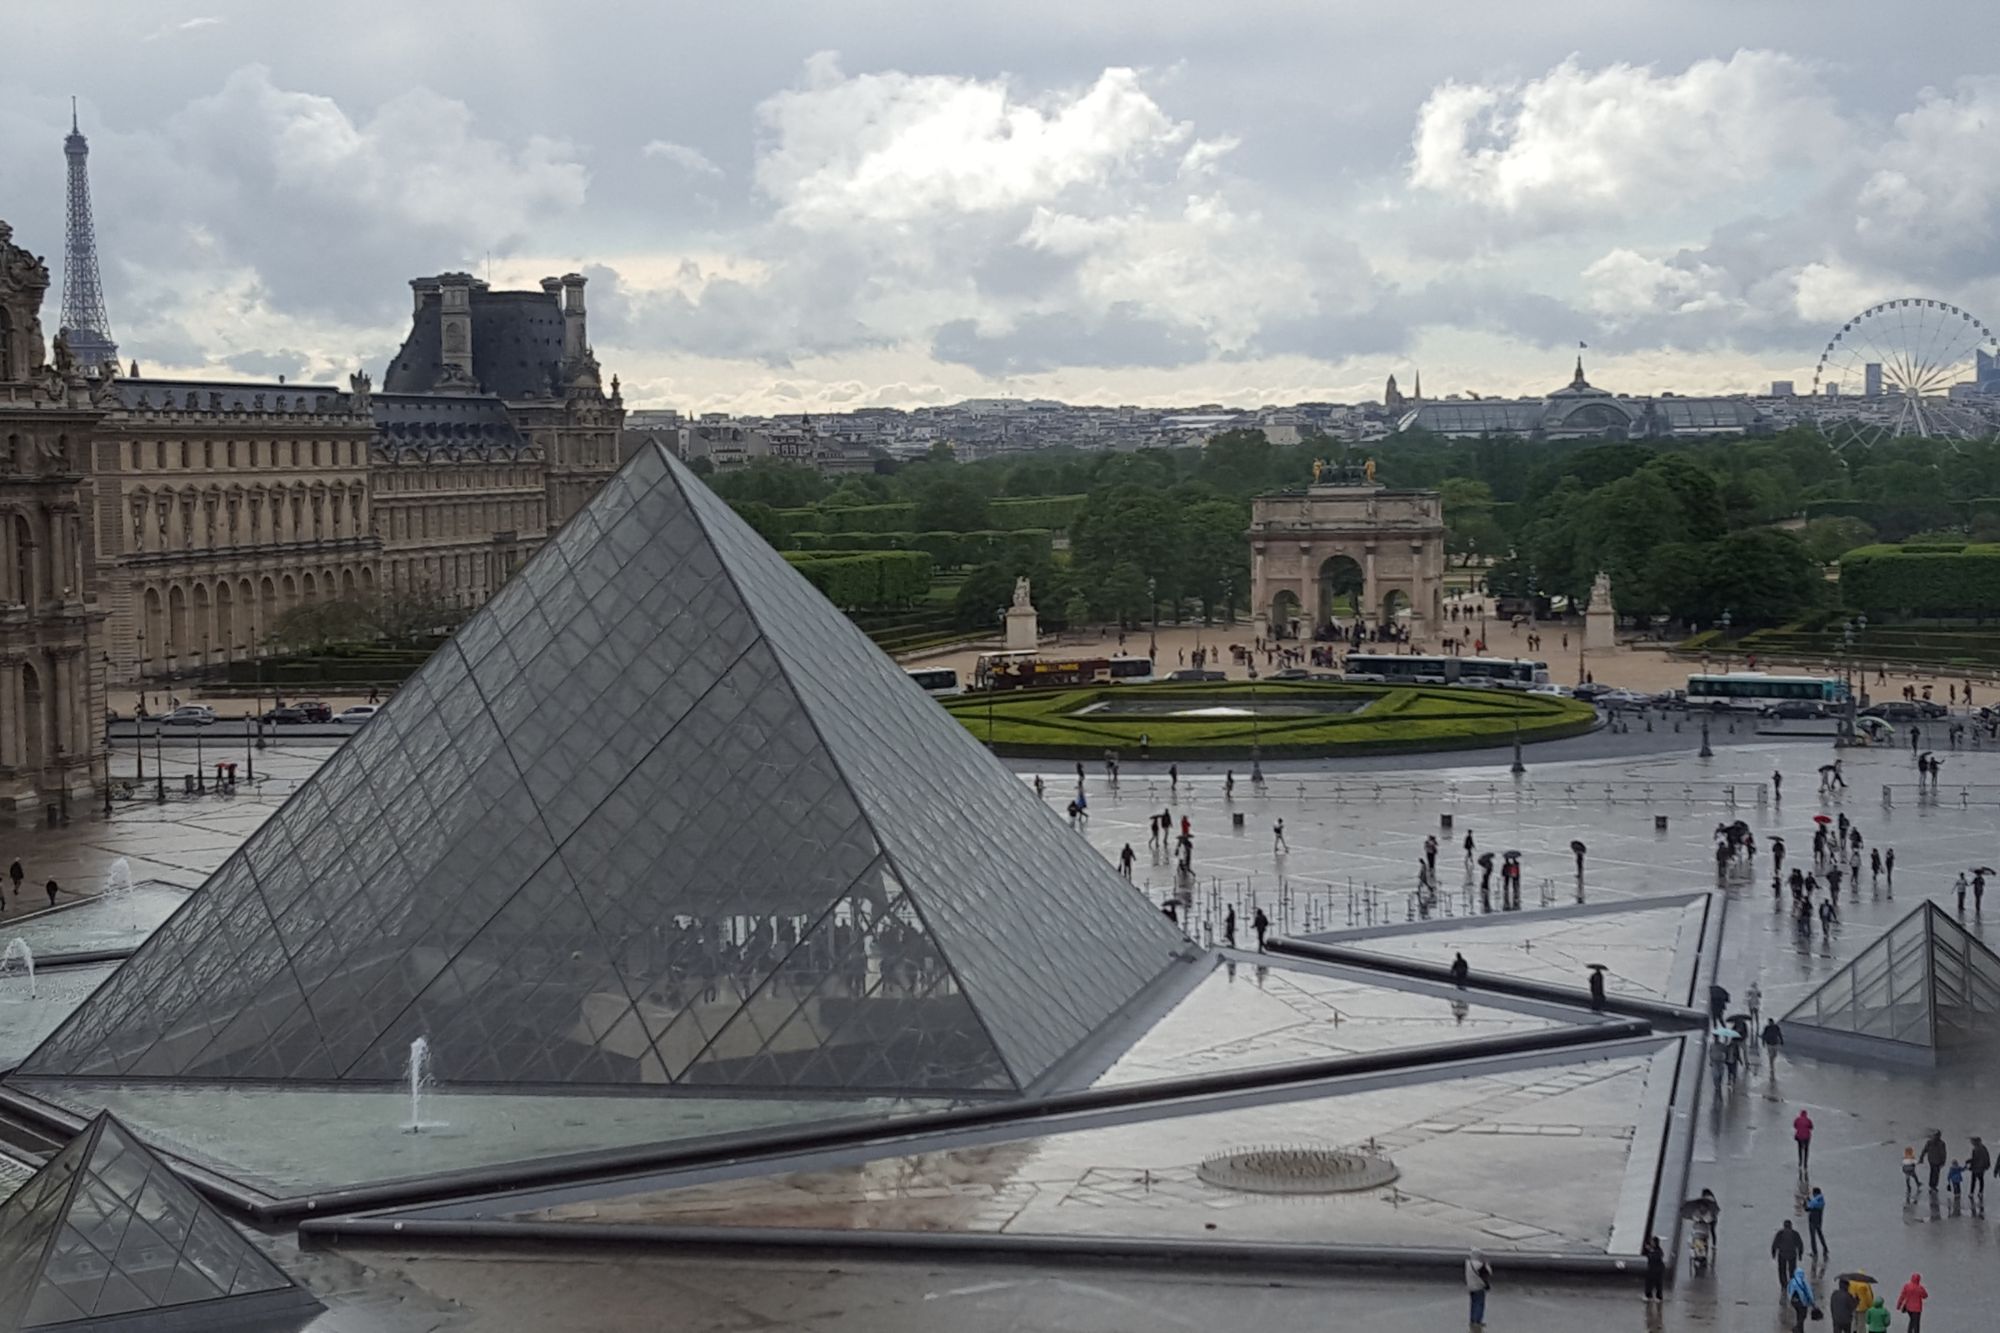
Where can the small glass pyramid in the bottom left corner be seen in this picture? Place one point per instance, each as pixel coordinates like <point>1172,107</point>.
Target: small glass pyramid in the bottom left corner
<point>107,1230</point>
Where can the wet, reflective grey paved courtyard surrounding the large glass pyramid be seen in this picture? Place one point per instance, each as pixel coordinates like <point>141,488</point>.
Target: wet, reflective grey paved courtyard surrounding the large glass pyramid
<point>1351,870</point>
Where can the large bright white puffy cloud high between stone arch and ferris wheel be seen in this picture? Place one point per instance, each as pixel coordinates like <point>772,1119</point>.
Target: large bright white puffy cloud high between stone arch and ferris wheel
<point>1583,145</point>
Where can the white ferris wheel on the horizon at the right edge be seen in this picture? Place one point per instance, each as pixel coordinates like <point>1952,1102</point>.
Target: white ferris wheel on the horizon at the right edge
<point>1891,369</point>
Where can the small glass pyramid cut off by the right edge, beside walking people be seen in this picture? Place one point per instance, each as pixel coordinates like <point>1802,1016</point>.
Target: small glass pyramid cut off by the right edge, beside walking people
<point>1927,982</point>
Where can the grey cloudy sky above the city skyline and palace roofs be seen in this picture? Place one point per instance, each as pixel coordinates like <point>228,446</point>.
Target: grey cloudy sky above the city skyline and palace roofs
<point>839,203</point>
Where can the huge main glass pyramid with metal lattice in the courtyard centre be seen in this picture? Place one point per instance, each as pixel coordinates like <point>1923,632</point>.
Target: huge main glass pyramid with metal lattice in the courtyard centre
<point>659,816</point>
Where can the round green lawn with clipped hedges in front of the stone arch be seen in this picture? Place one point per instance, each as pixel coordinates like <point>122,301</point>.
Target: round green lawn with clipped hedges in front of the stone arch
<point>1051,724</point>
